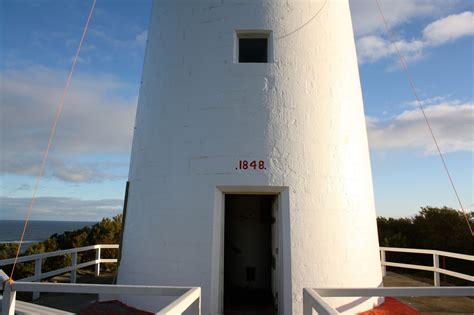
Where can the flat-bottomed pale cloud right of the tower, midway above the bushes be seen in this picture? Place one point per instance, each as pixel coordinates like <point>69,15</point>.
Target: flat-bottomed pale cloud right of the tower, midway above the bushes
<point>451,123</point>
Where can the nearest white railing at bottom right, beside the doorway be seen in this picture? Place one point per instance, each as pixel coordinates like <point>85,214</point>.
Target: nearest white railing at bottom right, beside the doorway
<point>313,298</point>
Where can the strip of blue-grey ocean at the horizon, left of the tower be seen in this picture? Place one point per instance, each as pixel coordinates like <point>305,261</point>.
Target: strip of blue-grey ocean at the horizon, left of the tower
<point>10,230</point>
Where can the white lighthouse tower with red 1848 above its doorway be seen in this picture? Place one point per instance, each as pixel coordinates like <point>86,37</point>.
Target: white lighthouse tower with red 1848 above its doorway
<point>250,172</point>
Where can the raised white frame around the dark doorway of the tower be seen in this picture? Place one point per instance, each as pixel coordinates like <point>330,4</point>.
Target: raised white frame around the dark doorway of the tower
<point>284,257</point>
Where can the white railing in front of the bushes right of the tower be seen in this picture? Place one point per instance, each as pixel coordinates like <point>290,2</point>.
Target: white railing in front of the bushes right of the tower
<point>435,268</point>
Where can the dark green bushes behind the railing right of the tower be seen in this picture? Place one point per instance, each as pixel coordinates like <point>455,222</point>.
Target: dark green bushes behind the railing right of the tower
<point>443,229</point>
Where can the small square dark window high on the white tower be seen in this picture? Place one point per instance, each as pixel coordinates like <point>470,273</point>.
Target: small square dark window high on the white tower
<point>253,47</point>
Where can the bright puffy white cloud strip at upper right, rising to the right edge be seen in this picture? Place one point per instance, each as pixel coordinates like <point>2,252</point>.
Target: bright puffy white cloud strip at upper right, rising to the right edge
<point>371,48</point>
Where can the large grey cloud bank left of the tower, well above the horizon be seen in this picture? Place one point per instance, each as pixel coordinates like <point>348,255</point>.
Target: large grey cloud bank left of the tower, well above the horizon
<point>96,120</point>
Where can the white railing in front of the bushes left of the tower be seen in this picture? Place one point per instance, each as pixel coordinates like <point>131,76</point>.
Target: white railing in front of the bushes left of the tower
<point>38,262</point>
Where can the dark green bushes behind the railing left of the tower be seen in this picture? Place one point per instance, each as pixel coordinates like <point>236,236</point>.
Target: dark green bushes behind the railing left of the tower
<point>106,231</point>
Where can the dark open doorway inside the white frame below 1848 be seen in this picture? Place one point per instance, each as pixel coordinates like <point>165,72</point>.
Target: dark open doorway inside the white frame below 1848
<point>250,255</point>
